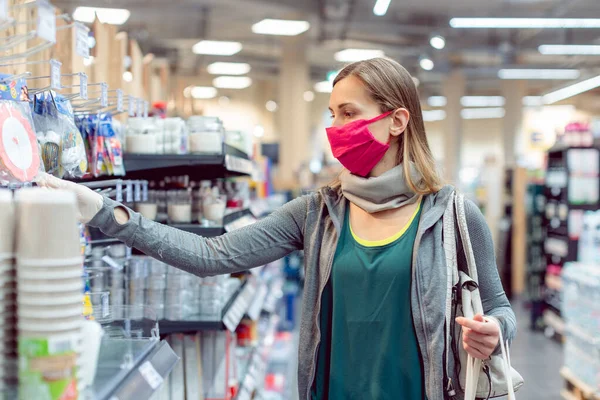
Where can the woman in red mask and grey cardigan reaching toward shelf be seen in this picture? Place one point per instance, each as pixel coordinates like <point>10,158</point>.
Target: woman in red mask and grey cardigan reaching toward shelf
<point>373,313</point>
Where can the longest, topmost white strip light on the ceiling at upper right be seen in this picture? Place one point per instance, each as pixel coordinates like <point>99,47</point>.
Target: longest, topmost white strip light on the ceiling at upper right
<point>525,23</point>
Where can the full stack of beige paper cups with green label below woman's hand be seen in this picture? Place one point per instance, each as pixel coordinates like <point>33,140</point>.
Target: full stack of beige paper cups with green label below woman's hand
<point>49,293</point>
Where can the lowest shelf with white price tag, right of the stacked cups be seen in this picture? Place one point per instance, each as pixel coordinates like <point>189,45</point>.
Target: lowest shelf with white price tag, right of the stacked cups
<point>131,368</point>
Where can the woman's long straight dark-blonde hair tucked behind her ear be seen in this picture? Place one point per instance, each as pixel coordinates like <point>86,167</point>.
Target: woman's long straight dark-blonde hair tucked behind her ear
<point>392,87</point>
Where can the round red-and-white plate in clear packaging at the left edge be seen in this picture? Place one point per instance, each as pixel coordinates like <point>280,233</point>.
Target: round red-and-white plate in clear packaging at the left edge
<point>20,155</point>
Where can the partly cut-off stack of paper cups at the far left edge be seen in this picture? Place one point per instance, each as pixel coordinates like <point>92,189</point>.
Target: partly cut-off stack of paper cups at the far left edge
<point>8,345</point>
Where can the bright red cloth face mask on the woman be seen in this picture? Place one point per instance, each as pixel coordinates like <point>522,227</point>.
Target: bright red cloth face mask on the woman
<point>355,146</point>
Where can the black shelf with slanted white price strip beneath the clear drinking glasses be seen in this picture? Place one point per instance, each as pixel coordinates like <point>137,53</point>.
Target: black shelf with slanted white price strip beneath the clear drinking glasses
<point>231,315</point>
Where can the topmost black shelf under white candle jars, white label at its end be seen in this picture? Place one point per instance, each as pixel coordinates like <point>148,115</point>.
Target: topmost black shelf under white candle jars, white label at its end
<point>231,163</point>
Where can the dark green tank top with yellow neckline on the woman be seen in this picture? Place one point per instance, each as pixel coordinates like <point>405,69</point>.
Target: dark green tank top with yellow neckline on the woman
<point>369,348</point>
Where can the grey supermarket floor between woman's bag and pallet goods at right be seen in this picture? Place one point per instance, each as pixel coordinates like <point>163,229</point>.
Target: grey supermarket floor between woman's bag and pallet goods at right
<point>538,359</point>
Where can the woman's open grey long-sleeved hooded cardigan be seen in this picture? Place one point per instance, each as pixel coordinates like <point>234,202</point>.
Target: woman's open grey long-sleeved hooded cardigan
<point>312,223</point>
